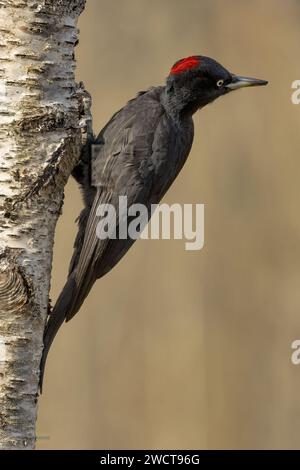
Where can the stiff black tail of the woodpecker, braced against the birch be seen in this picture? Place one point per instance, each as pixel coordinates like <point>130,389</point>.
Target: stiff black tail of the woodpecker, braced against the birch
<point>62,308</point>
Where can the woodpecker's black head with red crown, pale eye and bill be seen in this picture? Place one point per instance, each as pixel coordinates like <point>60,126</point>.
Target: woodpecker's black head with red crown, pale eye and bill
<point>197,80</point>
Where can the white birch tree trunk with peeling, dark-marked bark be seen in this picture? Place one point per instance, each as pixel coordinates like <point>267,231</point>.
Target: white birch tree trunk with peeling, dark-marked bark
<point>44,117</point>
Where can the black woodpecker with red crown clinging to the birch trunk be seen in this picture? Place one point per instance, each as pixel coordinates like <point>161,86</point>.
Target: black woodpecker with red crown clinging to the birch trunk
<point>140,152</point>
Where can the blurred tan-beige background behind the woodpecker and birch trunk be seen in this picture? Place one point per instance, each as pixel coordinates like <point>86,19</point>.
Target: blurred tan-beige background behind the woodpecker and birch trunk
<point>178,349</point>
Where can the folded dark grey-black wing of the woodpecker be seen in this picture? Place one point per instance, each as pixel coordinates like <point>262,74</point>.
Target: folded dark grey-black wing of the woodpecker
<point>123,164</point>
